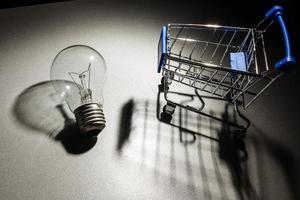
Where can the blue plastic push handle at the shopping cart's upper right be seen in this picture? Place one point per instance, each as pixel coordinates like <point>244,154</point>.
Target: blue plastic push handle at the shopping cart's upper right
<point>288,60</point>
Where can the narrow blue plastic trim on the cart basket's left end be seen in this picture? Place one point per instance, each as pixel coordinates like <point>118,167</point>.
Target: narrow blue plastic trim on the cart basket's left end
<point>162,48</point>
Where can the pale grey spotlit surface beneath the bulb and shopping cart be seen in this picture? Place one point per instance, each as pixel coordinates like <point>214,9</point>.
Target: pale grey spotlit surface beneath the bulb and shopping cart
<point>40,159</point>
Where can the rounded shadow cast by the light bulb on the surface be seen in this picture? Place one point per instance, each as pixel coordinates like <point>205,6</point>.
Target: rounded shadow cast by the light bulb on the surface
<point>39,108</point>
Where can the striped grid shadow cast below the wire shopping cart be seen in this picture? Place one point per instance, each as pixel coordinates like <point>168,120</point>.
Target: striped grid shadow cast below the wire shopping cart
<point>215,148</point>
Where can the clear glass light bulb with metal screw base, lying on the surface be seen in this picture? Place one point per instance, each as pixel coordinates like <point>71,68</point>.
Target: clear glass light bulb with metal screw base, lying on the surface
<point>78,76</point>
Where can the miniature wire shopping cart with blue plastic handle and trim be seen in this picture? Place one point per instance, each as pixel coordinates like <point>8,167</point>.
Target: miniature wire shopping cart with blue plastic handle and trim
<point>229,63</point>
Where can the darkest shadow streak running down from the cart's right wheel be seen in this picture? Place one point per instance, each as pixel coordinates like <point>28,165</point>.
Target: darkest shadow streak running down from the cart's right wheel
<point>232,150</point>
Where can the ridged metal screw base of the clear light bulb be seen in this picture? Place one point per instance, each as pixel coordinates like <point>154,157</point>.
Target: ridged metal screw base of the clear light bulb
<point>90,119</point>
